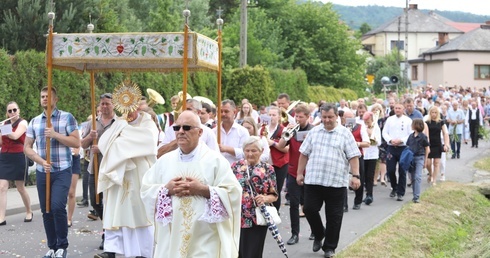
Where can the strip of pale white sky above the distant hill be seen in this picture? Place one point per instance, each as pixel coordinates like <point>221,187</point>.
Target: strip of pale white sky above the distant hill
<point>481,7</point>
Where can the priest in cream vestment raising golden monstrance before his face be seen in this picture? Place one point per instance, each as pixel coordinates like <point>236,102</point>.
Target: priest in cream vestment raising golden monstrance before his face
<point>129,150</point>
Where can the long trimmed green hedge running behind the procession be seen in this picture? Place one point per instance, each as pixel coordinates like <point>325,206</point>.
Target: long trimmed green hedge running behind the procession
<point>25,73</point>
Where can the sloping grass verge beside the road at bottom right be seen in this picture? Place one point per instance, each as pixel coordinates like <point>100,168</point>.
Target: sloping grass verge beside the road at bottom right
<point>450,221</point>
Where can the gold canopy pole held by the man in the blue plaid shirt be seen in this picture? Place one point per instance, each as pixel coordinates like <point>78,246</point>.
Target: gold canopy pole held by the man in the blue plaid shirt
<point>49,63</point>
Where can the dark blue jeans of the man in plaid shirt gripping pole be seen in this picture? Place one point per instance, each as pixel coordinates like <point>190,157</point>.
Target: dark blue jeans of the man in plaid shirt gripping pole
<point>55,222</point>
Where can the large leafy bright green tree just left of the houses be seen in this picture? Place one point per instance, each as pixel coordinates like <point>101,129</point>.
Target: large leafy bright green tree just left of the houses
<point>322,46</point>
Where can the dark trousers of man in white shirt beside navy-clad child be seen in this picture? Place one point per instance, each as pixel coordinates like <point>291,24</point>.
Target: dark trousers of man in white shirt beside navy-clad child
<point>392,158</point>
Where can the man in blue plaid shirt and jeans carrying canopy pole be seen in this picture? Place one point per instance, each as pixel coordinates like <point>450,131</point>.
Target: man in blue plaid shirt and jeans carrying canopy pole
<point>56,160</point>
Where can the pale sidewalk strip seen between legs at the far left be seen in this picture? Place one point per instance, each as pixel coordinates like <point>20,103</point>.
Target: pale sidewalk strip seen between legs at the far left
<point>15,204</point>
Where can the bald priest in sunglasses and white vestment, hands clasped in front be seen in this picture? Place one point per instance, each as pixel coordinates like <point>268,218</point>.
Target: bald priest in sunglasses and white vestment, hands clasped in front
<point>193,198</point>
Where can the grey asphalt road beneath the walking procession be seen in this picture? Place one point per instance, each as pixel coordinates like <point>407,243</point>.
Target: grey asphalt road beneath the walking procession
<point>19,239</point>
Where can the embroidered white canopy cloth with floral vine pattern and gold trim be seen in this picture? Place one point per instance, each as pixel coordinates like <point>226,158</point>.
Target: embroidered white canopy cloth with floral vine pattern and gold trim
<point>160,52</point>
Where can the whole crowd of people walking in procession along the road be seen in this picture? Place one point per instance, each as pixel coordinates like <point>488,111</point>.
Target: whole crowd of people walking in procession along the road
<point>180,192</point>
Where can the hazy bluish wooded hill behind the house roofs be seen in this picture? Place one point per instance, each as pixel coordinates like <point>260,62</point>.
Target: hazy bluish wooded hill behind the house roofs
<point>375,15</point>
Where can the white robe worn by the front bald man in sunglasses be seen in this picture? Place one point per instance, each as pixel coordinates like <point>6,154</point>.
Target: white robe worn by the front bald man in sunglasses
<point>185,234</point>
